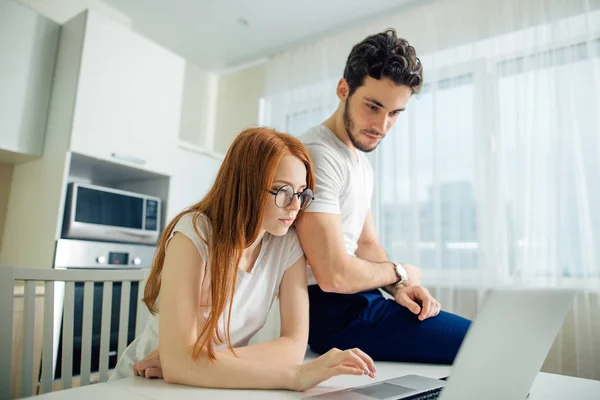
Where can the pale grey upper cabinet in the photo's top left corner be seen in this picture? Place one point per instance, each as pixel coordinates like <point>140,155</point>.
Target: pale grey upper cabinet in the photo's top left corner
<point>28,45</point>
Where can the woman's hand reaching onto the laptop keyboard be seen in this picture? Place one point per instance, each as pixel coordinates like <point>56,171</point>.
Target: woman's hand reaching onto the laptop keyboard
<point>334,362</point>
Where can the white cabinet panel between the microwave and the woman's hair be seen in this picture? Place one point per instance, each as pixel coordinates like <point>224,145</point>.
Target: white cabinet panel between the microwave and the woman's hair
<point>193,175</point>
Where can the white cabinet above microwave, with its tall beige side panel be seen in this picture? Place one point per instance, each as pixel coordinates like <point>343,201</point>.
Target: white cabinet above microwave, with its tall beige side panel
<point>115,97</point>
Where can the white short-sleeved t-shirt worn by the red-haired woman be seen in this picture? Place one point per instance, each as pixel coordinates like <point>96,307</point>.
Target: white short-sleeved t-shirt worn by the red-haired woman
<point>252,300</point>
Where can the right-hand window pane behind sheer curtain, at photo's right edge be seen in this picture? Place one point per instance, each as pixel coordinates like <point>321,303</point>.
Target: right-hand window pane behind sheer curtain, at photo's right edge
<point>553,214</point>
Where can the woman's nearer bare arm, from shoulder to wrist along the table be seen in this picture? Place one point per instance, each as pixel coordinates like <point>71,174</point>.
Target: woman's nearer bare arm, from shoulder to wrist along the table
<point>179,327</point>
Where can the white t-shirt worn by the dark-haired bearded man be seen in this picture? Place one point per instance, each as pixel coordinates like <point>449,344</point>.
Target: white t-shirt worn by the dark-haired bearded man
<point>344,184</point>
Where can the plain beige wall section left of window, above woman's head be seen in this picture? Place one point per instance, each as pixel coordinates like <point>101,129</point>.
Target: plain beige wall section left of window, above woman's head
<point>237,104</point>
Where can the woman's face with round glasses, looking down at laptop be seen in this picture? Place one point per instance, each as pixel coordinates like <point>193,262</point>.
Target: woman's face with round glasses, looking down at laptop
<point>292,172</point>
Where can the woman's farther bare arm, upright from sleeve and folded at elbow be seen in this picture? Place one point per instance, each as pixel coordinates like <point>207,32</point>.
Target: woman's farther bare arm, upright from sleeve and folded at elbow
<point>290,347</point>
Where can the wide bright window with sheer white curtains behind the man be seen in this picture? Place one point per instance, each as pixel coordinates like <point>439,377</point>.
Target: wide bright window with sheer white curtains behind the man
<point>495,166</point>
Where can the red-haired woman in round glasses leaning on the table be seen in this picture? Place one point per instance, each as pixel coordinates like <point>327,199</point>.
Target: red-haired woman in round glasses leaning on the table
<point>219,266</point>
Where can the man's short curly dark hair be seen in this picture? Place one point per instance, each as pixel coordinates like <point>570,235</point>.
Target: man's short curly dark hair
<point>384,55</point>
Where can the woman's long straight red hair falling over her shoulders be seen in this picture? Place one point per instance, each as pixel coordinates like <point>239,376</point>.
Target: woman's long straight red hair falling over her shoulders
<point>234,205</point>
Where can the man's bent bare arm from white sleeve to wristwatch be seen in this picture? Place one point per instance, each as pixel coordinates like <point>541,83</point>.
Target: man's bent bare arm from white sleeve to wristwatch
<point>336,271</point>
